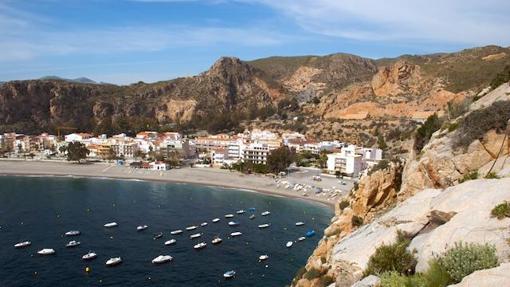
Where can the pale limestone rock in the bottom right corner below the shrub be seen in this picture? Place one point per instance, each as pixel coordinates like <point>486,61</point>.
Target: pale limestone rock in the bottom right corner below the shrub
<point>498,276</point>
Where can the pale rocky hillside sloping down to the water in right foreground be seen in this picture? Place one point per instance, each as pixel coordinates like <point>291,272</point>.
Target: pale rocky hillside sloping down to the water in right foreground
<point>443,194</point>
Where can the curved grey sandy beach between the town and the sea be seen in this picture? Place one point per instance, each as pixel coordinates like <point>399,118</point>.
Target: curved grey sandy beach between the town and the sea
<point>205,176</point>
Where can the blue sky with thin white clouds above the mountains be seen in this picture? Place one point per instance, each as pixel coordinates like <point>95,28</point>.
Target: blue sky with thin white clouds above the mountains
<point>126,41</point>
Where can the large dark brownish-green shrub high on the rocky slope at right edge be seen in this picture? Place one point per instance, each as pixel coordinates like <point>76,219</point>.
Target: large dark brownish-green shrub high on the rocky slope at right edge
<point>475,125</point>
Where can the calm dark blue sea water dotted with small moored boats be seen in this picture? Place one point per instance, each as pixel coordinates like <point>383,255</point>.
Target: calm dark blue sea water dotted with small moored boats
<point>42,209</point>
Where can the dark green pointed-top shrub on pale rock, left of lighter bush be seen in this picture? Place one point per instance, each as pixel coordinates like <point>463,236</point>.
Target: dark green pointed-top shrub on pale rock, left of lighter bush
<point>392,257</point>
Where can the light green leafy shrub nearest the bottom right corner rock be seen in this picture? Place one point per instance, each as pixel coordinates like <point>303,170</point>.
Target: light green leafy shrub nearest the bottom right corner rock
<point>464,259</point>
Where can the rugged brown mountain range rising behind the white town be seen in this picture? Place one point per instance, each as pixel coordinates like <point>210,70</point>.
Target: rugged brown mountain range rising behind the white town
<point>335,96</point>
